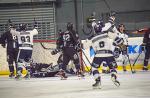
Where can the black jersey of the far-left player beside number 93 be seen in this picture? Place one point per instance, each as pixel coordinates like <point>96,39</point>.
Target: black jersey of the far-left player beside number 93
<point>10,39</point>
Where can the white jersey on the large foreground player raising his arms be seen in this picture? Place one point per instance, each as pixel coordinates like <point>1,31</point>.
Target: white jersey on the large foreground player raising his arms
<point>102,43</point>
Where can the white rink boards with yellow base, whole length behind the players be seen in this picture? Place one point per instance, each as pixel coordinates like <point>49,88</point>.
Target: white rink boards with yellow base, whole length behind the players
<point>133,50</point>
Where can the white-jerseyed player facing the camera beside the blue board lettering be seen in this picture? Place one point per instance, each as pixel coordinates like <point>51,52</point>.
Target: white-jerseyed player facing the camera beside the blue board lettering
<point>123,49</point>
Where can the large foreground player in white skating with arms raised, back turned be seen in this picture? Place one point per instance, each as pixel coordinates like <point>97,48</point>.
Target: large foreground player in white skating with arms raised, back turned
<point>103,49</point>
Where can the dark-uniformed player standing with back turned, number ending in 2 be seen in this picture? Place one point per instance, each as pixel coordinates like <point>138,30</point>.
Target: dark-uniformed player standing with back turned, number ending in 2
<point>70,43</point>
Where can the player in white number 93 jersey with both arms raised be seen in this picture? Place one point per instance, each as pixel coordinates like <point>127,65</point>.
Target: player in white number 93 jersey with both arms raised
<point>25,42</point>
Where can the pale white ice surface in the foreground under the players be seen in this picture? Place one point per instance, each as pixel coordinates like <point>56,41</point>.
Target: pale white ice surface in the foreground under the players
<point>132,86</point>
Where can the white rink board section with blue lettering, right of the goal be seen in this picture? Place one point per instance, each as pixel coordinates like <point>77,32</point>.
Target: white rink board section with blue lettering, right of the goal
<point>134,50</point>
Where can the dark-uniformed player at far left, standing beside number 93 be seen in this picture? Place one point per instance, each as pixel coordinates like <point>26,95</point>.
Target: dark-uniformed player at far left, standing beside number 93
<point>12,50</point>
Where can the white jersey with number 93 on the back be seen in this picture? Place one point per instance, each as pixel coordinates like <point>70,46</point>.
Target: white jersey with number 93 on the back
<point>25,38</point>
